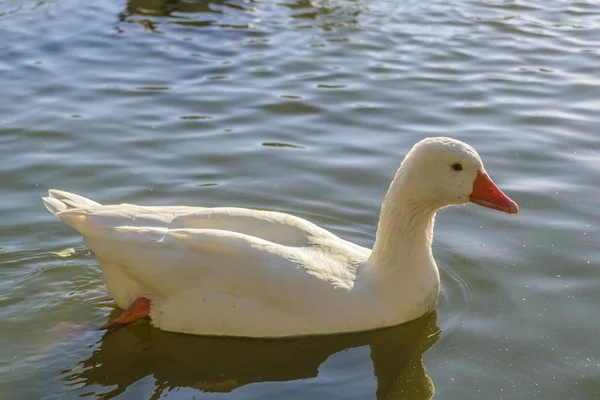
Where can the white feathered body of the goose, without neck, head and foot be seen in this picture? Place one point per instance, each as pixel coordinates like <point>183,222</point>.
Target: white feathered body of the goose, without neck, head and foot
<point>241,272</point>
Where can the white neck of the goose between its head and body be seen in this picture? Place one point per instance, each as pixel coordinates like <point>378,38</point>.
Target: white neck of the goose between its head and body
<point>405,229</point>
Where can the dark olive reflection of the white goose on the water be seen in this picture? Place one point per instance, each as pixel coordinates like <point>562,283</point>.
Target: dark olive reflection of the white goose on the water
<point>214,364</point>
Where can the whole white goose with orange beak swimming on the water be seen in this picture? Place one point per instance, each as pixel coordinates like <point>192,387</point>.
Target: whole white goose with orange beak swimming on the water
<point>240,272</point>
